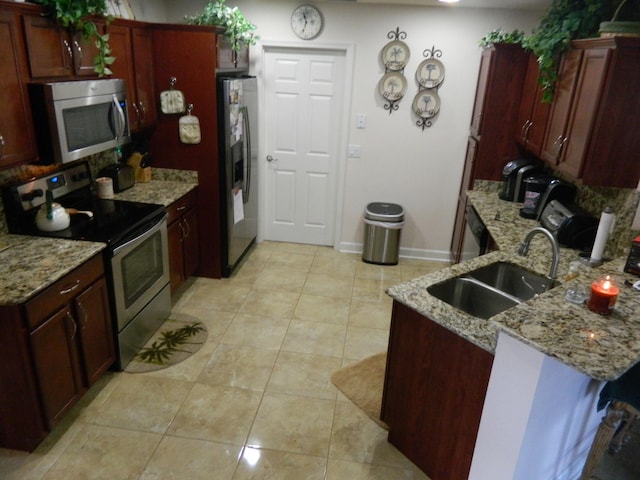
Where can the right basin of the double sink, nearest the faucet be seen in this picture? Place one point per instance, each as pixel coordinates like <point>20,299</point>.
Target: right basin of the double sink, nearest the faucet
<point>512,279</point>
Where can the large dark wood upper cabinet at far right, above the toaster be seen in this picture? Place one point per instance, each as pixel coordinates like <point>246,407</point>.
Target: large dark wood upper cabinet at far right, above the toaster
<point>590,134</point>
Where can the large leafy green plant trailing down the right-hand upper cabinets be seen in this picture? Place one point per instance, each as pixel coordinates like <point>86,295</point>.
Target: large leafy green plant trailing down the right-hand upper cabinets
<point>565,20</point>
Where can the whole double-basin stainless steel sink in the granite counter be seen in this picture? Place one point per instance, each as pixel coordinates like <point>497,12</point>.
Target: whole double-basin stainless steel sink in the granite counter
<point>491,289</point>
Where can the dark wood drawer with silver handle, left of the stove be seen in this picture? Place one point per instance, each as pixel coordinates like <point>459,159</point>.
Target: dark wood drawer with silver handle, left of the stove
<point>62,291</point>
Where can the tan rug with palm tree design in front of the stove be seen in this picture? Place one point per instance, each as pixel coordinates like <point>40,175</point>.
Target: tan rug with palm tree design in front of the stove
<point>179,337</point>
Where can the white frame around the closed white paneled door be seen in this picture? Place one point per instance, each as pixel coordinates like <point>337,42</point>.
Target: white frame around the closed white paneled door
<point>258,69</point>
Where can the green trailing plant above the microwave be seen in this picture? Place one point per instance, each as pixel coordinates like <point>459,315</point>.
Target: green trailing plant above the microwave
<point>74,15</point>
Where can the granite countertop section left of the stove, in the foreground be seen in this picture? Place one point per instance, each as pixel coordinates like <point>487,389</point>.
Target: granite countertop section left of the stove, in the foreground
<point>30,264</point>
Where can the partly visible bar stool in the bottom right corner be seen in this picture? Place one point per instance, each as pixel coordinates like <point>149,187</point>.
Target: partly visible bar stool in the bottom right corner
<point>623,399</point>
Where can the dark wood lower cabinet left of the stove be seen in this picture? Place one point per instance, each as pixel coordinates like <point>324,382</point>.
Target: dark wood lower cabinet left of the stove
<point>52,349</point>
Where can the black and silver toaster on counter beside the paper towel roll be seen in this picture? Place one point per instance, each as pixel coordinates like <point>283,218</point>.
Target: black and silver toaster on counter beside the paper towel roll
<point>573,226</point>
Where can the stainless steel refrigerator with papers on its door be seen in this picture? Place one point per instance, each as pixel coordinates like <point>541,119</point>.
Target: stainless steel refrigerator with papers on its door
<point>238,139</point>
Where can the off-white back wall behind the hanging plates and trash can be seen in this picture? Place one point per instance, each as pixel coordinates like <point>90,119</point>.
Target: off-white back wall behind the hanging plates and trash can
<point>400,163</point>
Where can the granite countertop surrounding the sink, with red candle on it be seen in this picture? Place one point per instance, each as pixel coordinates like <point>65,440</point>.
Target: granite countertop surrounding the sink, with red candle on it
<point>602,347</point>
